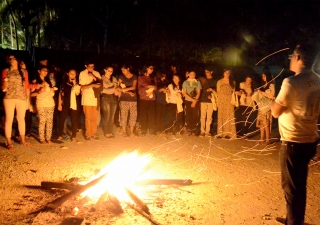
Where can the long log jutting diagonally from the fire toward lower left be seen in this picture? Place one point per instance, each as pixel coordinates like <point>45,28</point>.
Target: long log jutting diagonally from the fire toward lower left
<point>59,201</point>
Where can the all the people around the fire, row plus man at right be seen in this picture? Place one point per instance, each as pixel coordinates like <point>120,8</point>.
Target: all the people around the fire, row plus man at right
<point>162,105</point>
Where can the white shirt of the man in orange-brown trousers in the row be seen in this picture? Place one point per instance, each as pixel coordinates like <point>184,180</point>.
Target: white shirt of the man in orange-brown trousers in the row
<point>88,97</point>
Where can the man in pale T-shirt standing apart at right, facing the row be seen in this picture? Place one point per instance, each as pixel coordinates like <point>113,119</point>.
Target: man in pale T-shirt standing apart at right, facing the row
<point>297,107</point>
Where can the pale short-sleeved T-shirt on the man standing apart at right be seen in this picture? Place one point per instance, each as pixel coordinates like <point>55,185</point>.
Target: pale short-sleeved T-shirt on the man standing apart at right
<point>301,95</point>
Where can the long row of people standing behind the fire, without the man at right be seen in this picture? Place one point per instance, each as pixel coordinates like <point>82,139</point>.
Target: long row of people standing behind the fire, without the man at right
<point>159,105</point>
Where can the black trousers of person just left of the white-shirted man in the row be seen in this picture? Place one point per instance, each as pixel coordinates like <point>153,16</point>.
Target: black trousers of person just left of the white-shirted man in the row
<point>75,119</point>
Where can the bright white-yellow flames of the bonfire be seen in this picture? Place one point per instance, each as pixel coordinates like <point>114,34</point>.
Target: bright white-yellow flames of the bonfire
<point>122,172</point>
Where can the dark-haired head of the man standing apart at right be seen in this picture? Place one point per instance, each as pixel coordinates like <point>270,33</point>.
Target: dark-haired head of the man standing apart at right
<point>303,57</point>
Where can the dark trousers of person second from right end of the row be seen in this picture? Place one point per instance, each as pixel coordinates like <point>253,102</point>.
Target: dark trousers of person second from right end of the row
<point>244,119</point>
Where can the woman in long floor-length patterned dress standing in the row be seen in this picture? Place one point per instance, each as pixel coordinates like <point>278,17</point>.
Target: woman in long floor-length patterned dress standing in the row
<point>226,121</point>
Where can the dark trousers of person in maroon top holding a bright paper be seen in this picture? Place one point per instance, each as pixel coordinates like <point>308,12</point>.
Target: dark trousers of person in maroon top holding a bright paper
<point>147,113</point>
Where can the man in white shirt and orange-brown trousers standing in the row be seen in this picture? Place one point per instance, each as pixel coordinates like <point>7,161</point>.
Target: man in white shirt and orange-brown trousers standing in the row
<point>89,80</point>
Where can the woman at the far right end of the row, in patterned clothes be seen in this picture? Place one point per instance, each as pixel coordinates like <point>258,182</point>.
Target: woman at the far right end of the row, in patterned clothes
<point>266,93</point>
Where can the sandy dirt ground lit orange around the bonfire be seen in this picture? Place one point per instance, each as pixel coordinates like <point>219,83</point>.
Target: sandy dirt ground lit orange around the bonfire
<point>234,182</point>
